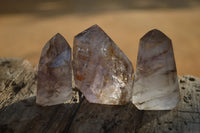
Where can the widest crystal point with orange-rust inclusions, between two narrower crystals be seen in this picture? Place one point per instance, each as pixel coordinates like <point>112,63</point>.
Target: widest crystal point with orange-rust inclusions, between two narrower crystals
<point>102,71</point>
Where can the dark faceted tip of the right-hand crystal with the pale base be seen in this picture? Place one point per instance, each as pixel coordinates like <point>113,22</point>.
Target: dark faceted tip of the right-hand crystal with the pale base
<point>154,36</point>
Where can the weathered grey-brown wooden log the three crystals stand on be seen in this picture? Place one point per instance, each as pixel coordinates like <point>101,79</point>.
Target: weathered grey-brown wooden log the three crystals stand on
<point>20,114</point>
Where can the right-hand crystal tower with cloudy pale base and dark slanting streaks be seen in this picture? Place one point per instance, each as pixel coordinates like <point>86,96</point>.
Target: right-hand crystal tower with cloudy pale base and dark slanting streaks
<point>155,84</point>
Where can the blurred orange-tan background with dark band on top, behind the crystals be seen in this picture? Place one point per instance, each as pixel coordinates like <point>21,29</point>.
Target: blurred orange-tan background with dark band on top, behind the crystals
<point>26,25</point>
